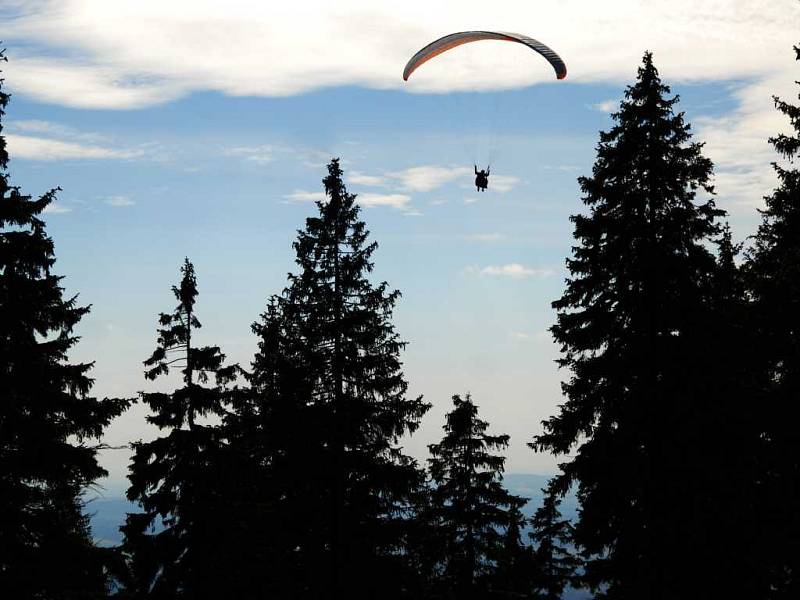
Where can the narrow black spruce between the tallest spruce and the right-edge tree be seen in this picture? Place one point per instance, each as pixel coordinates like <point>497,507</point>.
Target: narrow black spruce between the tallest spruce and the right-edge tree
<point>728,427</point>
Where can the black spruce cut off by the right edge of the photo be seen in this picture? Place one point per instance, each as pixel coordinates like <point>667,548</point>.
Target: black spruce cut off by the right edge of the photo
<point>773,268</point>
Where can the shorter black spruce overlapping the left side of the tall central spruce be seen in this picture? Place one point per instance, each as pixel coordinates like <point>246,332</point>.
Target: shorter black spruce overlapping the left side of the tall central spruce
<point>278,446</point>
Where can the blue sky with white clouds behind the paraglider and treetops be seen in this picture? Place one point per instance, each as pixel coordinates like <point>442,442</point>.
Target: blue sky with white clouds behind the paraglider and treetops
<point>203,128</point>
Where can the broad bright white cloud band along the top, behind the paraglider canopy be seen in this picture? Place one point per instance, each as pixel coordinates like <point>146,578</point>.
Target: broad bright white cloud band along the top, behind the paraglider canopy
<point>134,53</point>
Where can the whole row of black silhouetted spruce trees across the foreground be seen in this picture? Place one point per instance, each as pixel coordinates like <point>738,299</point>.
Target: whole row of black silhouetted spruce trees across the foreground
<point>287,478</point>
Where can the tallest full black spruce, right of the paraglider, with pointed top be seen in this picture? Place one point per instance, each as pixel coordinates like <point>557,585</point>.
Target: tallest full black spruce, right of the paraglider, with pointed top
<point>633,325</point>
